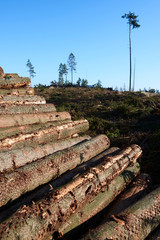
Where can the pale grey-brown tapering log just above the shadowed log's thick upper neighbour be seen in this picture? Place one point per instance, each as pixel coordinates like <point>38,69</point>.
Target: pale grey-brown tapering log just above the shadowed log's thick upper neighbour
<point>13,159</point>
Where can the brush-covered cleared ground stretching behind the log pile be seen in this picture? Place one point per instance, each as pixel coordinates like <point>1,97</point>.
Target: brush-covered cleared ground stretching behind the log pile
<point>125,117</point>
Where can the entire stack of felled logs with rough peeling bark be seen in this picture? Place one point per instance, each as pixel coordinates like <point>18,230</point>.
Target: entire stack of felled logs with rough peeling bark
<point>54,178</point>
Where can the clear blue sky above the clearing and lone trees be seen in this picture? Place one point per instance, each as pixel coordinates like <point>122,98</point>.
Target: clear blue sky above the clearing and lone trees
<point>47,31</point>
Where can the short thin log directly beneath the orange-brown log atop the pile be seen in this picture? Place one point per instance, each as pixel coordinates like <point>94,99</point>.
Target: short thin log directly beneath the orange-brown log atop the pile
<point>18,91</point>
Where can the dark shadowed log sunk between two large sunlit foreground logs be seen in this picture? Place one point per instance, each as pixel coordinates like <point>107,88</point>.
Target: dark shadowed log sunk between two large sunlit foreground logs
<point>41,192</point>
